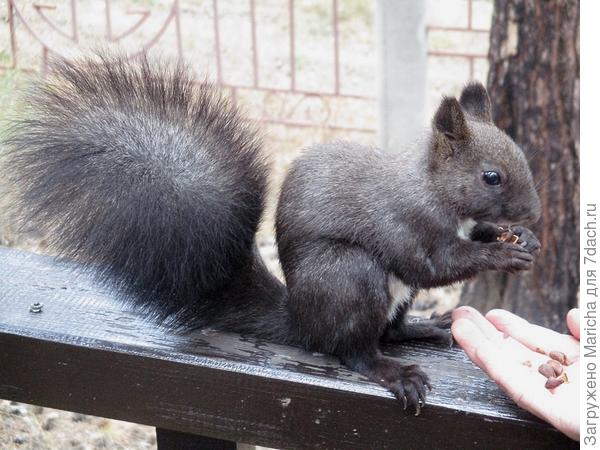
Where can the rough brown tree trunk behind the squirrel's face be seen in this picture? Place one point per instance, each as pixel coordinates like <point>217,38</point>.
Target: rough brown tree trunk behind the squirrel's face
<point>533,82</point>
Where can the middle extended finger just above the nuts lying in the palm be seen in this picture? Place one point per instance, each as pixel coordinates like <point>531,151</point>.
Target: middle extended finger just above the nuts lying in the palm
<point>538,339</point>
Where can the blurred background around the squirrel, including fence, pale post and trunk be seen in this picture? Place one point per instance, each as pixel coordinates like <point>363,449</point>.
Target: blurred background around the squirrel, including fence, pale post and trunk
<point>312,71</point>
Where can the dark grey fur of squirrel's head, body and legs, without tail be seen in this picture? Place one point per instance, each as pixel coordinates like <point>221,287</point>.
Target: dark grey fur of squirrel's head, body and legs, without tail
<point>350,216</point>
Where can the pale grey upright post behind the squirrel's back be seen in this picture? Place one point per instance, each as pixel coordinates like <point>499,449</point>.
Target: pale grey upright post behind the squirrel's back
<point>402,62</point>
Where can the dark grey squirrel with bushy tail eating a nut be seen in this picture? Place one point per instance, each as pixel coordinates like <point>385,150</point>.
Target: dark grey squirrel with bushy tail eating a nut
<point>157,183</point>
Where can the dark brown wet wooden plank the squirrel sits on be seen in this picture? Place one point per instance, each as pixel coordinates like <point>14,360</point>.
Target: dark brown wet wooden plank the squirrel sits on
<point>87,352</point>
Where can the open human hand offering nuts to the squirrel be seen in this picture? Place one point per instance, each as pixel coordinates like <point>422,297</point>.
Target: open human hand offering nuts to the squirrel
<point>510,350</point>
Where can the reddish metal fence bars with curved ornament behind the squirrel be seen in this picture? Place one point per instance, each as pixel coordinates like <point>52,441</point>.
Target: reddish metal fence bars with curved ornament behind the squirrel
<point>257,83</point>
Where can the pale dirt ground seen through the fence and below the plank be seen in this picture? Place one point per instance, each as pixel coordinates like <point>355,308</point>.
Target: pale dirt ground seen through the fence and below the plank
<point>36,428</point>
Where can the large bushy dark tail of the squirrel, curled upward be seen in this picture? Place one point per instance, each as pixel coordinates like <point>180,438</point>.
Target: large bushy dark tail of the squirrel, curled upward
<point>132,168</point>
